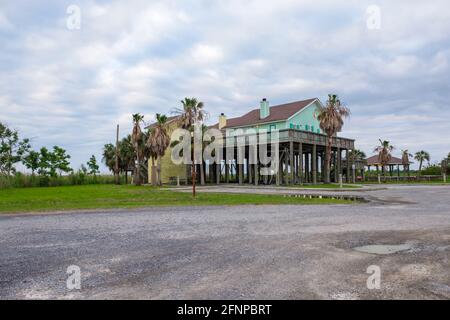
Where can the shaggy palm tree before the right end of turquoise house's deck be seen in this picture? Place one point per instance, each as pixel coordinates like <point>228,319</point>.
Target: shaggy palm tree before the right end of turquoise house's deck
<point>331,119</point>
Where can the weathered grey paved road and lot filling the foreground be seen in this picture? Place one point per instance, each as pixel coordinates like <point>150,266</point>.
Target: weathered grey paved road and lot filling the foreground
<point>244,252</point>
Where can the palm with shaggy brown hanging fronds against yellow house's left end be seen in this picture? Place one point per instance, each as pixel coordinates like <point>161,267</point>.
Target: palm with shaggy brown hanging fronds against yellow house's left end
<point>158,141</point>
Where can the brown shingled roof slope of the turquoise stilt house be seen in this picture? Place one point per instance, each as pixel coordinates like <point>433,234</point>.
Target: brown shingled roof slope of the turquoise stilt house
<point>277,113</point>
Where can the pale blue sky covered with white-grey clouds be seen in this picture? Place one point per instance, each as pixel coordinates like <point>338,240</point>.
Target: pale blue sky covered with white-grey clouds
<point>68,86</point>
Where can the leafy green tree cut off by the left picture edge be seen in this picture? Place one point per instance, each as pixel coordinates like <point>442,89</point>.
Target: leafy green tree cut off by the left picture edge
<point>12,149</point>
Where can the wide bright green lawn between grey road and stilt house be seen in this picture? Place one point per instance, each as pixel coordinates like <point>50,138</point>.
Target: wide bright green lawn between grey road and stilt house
<point>112,196</point>
